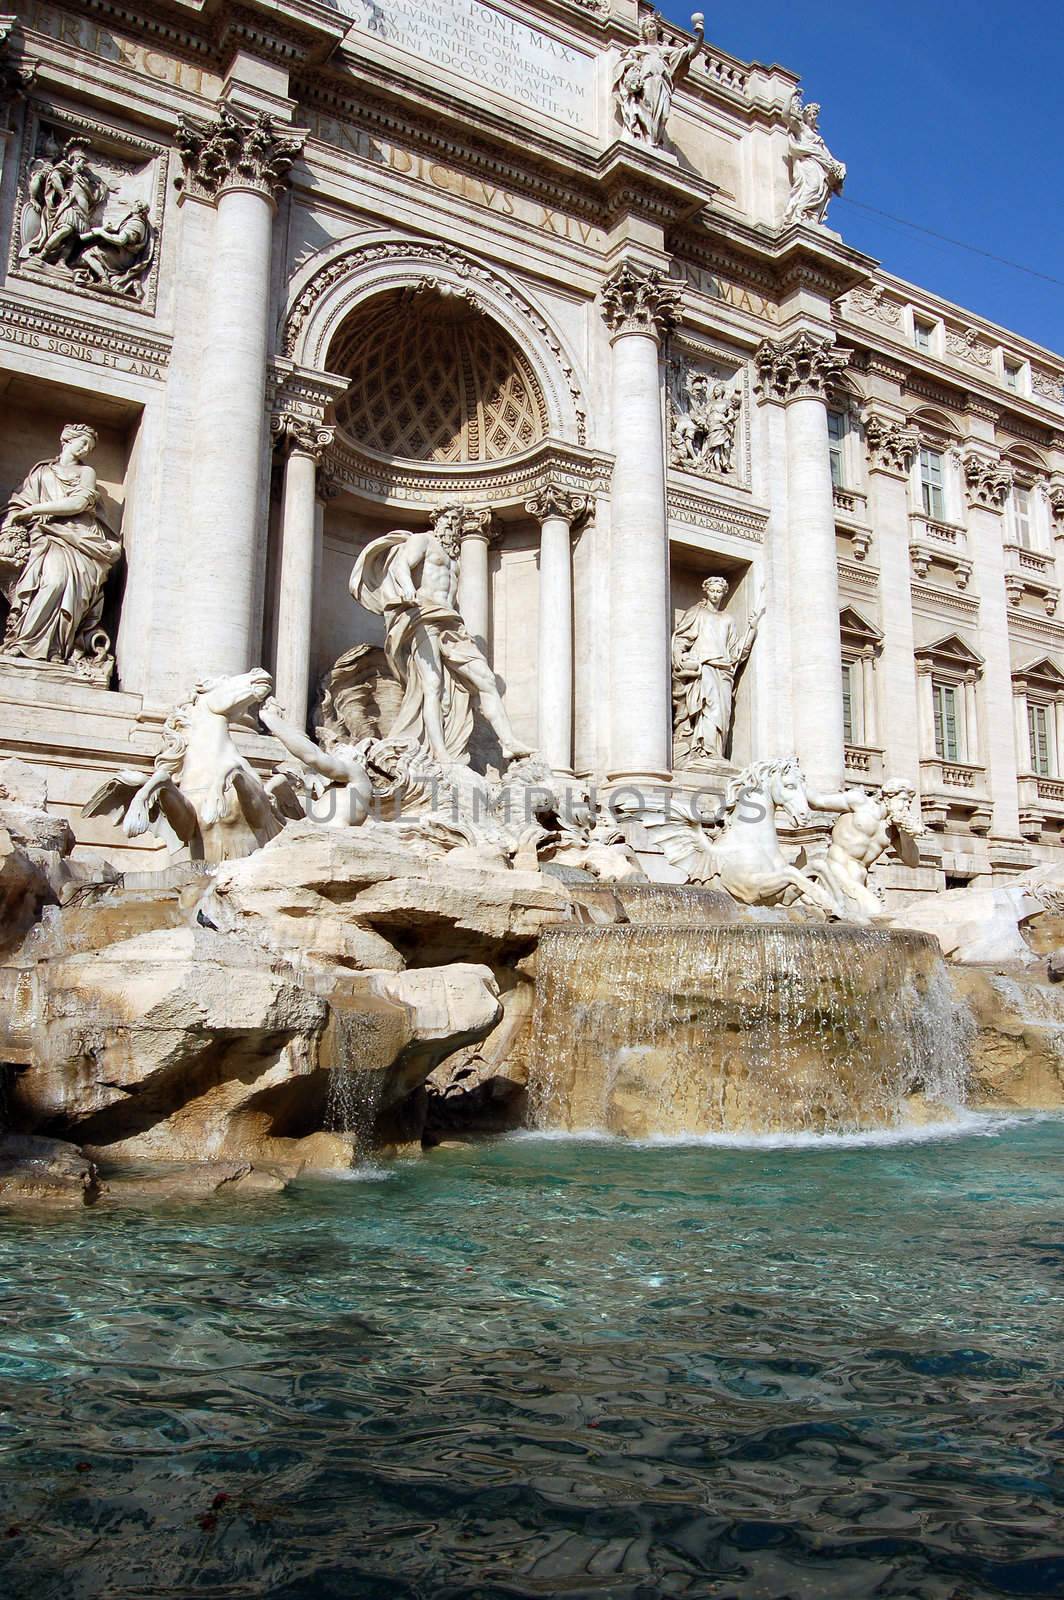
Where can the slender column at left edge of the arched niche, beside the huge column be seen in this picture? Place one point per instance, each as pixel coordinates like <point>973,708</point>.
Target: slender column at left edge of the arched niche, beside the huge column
<point>305,446</point>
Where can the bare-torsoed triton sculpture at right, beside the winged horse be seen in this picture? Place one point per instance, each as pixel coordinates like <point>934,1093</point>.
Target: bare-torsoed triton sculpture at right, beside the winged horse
<point>868,826</point>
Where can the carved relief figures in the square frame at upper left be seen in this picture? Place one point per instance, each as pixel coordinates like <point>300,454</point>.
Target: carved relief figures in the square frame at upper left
<point>65,226</point>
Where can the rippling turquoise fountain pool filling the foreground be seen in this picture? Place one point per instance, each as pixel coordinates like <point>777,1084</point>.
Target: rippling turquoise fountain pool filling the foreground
<point>551,1367</point>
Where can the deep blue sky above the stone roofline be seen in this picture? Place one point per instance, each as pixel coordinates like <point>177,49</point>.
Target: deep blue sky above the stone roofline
<point>946,113</point>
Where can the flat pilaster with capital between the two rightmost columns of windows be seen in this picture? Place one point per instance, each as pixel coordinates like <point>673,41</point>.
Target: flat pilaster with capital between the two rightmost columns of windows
<point>988,486</point>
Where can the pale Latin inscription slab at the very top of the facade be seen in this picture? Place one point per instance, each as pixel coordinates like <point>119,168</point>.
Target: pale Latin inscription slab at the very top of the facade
<point>487,47</point>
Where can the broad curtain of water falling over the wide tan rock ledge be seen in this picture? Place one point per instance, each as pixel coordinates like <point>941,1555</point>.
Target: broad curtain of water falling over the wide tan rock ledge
<point>668,1030</point>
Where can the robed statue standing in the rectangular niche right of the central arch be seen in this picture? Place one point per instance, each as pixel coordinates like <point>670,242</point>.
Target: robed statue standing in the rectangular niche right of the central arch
<point>708,655</point>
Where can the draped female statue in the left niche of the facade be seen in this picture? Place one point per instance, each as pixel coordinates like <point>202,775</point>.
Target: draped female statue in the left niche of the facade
<point>62,553</point>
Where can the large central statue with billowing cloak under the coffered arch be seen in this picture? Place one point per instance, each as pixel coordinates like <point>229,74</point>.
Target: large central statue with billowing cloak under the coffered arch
<point>412,582</point>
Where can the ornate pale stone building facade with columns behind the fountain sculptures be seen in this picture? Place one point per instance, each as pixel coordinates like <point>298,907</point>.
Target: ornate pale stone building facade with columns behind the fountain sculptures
<point>281,278</point>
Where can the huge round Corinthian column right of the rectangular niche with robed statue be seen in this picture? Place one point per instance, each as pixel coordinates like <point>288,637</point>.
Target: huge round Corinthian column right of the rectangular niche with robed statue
<point>798,374</point>
